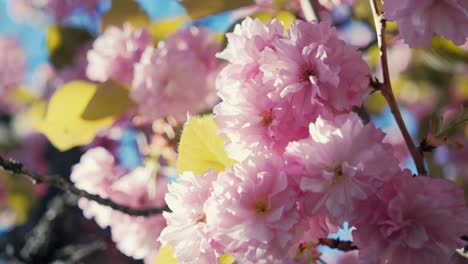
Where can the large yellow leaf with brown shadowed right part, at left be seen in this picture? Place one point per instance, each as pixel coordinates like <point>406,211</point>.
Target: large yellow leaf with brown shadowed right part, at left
<point>78,110</point>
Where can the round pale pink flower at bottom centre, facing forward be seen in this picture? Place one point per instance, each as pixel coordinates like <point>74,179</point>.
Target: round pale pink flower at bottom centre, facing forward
<point>253,212</point>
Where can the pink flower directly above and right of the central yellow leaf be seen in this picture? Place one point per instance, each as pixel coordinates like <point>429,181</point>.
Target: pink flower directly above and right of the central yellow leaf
<point>253,122</point>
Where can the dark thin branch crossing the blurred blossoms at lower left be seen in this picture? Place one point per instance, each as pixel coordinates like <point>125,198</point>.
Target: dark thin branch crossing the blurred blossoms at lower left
<point>15,167</point>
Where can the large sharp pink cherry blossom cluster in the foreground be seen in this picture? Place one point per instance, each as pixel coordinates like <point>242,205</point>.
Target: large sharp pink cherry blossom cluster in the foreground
<point>306,163</point>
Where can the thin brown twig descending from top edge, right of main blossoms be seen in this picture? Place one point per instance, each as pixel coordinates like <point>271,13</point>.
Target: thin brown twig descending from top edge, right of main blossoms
<point>387,90</point>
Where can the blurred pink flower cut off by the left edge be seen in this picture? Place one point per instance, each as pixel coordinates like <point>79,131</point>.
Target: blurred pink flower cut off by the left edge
<point>12,65</point>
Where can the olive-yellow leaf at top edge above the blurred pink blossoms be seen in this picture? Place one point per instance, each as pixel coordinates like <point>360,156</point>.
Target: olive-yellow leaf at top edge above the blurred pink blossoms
<point>123,11</point>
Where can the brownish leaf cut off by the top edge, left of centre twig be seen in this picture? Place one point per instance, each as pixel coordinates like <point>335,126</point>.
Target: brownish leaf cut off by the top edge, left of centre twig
<point>202,8</point>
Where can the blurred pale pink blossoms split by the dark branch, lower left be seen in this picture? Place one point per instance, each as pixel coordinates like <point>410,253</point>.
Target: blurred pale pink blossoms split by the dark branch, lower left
<point>97,173</point>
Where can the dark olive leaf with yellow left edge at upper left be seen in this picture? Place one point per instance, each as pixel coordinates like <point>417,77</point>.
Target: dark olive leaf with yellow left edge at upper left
<point>64,43</point>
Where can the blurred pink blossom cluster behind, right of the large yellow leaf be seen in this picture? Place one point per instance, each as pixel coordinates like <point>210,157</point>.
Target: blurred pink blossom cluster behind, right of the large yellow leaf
<point>174,78</point>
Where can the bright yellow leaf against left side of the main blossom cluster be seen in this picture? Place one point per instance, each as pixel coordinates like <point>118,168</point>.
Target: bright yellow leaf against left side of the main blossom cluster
<point>201,148</point>
